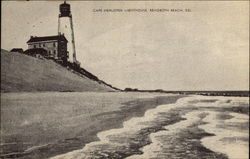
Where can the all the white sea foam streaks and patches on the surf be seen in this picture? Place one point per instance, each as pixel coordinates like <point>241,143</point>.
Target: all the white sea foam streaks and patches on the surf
<point>126,141</point>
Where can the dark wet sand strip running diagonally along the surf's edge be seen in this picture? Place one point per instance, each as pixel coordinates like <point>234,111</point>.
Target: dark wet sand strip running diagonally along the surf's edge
<point>108,120</point>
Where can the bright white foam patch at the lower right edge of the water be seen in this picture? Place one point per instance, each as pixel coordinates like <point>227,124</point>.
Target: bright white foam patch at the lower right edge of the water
<point>233,142</point>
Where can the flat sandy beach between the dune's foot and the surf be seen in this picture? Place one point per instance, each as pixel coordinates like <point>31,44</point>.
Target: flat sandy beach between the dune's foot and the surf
<point>35,127</point>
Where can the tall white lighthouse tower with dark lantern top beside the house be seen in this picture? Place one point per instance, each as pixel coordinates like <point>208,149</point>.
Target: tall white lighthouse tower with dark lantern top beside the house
<point>65,27</point>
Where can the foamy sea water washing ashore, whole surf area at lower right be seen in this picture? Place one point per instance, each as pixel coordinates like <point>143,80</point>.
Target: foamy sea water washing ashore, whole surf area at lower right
<point>193,127</point>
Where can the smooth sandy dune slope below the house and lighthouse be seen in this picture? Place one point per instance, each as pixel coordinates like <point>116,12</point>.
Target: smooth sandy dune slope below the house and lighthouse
<point>22,73</point>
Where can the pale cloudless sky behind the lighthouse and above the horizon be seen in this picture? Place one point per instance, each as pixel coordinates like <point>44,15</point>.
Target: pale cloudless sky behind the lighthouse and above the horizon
<point>206,48</point>
